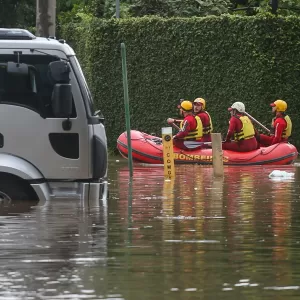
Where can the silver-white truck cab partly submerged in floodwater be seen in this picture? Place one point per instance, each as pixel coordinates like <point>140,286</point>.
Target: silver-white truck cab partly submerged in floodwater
<point>52,141</point>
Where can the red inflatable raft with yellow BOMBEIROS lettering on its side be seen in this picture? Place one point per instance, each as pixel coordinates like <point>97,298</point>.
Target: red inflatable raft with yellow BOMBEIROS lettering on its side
<point>148,149</point>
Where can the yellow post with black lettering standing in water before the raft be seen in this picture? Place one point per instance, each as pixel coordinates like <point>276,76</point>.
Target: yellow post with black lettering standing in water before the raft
<point>169,168</point>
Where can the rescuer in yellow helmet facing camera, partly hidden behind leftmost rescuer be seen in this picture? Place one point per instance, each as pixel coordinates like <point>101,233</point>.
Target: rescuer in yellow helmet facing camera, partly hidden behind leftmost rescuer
<point>199,110</point>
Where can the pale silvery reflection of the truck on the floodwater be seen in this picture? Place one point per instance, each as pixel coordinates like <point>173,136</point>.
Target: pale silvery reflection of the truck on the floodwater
<point>46,250</point>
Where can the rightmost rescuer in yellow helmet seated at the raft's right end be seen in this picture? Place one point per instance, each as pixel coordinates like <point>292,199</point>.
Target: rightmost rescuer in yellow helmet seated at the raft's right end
<point>281,125</point>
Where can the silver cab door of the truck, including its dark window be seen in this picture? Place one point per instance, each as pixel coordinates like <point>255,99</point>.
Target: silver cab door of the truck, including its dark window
<point>28,127</point>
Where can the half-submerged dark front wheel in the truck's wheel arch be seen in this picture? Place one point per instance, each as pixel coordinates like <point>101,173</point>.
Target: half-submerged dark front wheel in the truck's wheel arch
<point>15,190</point>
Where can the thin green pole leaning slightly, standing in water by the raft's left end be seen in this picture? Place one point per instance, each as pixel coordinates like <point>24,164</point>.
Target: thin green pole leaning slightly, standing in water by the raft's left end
<point>126,103</point>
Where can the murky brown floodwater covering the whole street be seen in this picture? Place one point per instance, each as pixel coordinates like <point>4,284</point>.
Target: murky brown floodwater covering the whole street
<point>194,237</point>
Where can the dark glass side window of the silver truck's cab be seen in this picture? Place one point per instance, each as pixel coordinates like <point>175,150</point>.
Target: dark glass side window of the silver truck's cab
<point>33,91</point>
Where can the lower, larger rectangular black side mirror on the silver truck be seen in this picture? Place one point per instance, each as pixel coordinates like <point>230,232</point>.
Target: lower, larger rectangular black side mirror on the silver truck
<point>62,100</point>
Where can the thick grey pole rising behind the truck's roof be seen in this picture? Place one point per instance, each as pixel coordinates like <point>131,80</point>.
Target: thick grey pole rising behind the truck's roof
<point>45,17</point>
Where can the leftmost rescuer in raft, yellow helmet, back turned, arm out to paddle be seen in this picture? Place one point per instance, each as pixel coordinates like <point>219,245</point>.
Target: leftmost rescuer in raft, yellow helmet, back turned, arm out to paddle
<point>190,133</point>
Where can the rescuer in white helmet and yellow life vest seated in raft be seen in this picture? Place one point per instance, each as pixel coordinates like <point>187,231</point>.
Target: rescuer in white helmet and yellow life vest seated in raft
<point>241,130</point>
